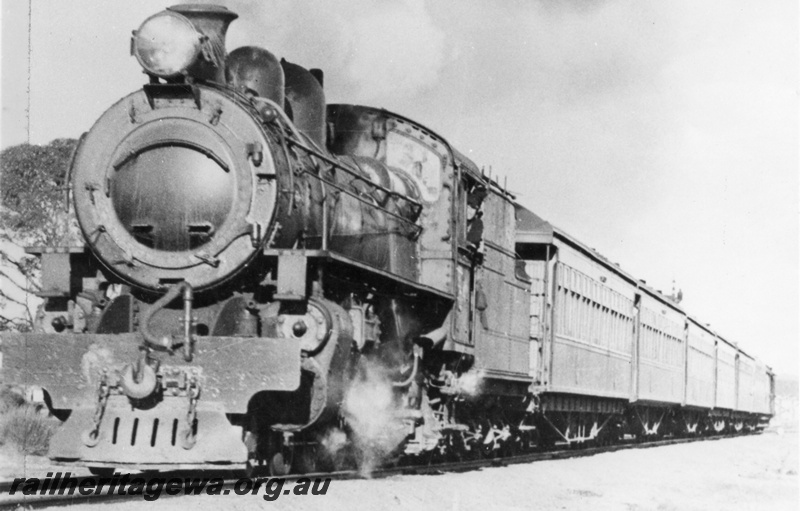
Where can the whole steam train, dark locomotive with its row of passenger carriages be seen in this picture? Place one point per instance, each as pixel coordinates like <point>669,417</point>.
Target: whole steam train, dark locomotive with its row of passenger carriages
<point>252,253</point>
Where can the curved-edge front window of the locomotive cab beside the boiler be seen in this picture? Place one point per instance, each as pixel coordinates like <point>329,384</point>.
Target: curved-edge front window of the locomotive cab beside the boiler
<point>419,161</point>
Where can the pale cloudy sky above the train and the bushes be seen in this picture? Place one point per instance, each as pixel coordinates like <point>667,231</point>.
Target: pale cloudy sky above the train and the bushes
<point>663,134</point>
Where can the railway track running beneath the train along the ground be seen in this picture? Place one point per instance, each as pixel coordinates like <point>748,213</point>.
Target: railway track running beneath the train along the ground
<point>17,500</point>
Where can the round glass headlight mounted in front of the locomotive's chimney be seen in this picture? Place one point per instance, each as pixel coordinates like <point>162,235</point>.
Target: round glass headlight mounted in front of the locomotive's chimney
<point>166,44</point>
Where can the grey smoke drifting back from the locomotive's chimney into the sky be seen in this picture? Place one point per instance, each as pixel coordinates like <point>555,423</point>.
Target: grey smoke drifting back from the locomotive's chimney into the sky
<point>366,48</point>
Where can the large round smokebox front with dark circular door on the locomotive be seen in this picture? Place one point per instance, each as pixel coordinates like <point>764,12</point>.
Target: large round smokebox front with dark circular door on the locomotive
<point>177,182</point>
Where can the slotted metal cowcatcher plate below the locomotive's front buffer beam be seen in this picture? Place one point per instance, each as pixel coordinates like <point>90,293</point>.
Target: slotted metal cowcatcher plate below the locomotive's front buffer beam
<point>158,437</point>
